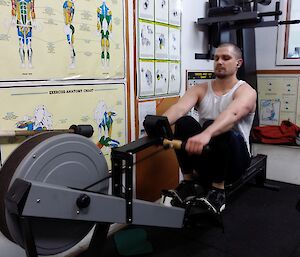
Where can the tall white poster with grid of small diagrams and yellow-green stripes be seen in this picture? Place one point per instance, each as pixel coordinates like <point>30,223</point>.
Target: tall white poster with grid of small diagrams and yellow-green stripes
<point>159,48</point>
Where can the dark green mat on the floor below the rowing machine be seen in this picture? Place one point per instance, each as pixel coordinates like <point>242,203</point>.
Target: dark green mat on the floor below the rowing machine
<point>132,242</point>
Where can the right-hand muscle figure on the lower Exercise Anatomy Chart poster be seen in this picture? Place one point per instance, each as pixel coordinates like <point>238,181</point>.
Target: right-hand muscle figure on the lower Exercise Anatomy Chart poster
<point>104,119</point>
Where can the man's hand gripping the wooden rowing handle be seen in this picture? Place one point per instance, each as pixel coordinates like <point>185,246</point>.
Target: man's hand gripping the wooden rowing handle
<point>195,144</point>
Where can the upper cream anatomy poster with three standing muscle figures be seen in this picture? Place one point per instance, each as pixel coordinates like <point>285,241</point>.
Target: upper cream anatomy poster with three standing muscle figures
<point>61,39</point>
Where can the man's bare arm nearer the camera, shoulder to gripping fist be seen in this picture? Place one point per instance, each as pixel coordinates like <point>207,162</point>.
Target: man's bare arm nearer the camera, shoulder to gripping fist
<point>244,103</point>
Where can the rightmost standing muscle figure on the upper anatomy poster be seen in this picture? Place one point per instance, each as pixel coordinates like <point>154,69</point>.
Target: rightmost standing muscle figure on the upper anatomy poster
<point>104,27</point>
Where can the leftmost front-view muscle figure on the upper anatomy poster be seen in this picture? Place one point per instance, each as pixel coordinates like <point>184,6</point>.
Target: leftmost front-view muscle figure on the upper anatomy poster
<point>23,16</point>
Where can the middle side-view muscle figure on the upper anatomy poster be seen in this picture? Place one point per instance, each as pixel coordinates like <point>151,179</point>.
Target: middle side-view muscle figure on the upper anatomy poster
<point>69,9</point>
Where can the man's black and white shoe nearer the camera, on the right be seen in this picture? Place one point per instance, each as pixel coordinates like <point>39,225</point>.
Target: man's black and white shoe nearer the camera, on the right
<point>214,200</point>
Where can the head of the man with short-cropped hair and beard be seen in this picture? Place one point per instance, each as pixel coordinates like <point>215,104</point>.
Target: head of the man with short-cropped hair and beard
<point>227,60</point>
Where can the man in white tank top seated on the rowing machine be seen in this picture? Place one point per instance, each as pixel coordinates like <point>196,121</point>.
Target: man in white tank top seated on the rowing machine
<point>226,108</point>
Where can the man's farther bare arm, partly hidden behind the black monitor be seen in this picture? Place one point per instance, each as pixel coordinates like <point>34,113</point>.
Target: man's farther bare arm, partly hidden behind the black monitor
<point>191,97</point>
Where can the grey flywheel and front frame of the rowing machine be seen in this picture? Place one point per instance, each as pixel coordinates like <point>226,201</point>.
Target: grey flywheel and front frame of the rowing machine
<point>47,205</point>
